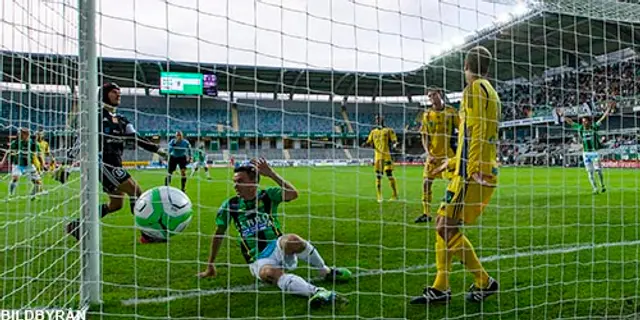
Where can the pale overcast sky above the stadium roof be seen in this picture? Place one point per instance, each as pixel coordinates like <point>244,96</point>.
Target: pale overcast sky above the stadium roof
<point>363,35</point>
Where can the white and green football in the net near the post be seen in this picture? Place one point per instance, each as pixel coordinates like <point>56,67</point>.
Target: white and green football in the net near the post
<point>163,211</point>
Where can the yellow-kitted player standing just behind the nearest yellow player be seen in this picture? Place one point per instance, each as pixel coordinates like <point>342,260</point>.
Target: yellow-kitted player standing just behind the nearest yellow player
<point>437,130</point>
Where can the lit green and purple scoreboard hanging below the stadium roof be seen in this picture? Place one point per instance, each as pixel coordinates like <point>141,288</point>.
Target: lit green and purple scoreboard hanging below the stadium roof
<point>187,83</point>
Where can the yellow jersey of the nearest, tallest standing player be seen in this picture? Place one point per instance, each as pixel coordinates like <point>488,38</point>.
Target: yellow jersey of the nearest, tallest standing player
<point>478,131</point>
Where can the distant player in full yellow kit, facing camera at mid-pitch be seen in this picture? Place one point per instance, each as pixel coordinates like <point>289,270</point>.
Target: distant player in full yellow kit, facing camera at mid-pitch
<point>383,139</point>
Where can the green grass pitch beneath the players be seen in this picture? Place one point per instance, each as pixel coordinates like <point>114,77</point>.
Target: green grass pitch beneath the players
<point>557,250</point>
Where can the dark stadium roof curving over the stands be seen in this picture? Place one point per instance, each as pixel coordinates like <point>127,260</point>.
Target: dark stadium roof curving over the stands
<point>524,47</point>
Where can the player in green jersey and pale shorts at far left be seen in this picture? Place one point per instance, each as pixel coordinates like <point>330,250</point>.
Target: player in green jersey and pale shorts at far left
<point>22,152</point>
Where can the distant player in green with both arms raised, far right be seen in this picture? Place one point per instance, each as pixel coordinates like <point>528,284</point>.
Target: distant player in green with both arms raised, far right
<point>588,132</point>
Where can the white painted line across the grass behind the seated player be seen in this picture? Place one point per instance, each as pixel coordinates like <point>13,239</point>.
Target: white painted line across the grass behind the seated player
<point>252,287</point>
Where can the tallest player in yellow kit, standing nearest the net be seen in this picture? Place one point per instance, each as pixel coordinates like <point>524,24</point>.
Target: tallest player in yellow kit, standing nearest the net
<point>470,189</point>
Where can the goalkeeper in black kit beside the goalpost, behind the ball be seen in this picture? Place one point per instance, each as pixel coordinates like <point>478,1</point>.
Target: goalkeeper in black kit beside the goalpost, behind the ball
<point>115,130</point>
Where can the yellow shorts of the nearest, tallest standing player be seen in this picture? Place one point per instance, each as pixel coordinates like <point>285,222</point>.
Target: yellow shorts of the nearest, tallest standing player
<point>465,201</point>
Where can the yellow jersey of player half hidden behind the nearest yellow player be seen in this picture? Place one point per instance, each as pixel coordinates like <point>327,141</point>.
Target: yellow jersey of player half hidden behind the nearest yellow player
<point>439,126</point>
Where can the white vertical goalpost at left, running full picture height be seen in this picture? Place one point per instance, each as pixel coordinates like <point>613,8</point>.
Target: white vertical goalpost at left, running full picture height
<point>90,291</point>
